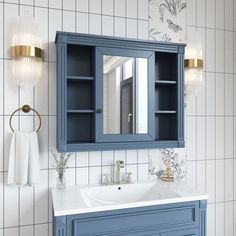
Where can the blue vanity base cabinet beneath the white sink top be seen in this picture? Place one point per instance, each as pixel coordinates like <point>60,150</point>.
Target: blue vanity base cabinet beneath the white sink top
<point>177,219</point>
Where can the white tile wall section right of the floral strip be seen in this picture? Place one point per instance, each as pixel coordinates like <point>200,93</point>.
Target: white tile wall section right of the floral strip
<point>211,131</point>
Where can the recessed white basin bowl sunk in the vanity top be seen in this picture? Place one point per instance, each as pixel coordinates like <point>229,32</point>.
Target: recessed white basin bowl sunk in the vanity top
<point>128,193</point>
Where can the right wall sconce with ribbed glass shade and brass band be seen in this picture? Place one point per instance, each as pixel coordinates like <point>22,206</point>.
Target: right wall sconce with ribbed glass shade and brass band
<point>193,67</point>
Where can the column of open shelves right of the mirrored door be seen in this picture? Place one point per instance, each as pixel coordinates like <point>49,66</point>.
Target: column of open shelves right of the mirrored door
<point>166,96</point>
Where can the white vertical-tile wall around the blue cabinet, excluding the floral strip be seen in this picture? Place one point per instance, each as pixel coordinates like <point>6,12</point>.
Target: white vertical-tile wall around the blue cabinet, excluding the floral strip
<point>210,113</point>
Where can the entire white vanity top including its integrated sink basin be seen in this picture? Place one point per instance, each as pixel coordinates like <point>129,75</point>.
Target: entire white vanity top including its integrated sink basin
<point>85,199</point>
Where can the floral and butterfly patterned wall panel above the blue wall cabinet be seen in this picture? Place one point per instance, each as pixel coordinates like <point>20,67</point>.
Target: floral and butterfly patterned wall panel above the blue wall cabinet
<point>167,20</point>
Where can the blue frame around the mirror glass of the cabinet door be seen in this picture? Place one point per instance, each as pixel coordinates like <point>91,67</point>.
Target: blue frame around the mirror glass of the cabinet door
<point>100,136</point>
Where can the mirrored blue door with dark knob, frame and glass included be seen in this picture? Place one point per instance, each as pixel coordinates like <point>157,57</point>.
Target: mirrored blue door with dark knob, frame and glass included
<point>125,90</point>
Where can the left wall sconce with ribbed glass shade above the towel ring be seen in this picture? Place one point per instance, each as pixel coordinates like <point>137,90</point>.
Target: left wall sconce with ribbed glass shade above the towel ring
<point>26,52</point>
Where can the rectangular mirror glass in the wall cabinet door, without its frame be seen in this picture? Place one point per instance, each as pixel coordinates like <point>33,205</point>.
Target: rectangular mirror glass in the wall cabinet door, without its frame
<point>125,95</point>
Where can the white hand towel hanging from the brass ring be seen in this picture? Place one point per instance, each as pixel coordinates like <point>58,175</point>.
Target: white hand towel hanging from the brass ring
<point>23,165</point>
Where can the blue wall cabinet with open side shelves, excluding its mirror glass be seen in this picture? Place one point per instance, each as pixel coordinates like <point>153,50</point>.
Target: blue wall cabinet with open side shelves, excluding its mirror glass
<point>80,95</point>
